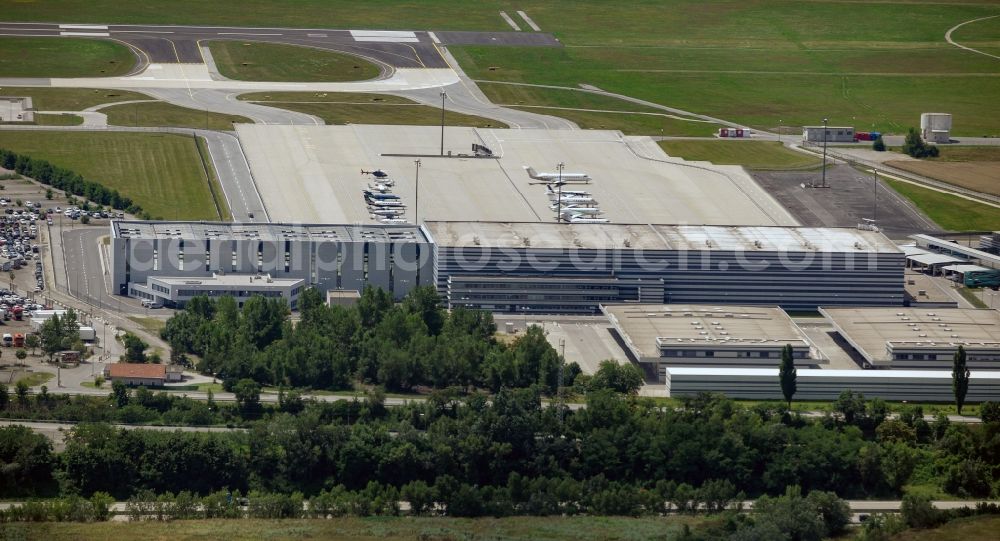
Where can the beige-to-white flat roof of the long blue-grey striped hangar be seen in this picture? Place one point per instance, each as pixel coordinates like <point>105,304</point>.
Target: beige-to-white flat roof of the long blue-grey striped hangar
<point>658,237</point>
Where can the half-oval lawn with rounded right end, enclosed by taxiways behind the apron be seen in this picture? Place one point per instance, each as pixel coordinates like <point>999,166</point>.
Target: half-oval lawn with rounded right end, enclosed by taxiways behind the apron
<point>250,61</point>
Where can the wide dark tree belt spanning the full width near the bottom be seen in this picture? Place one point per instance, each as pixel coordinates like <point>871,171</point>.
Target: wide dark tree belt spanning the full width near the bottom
<point>708,449</point>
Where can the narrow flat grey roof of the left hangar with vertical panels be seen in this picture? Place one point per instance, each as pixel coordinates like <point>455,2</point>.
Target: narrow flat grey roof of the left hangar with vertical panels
<point>134,229</point>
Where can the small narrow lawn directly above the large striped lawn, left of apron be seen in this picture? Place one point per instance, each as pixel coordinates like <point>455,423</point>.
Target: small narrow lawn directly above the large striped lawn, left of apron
<point>168,114</point>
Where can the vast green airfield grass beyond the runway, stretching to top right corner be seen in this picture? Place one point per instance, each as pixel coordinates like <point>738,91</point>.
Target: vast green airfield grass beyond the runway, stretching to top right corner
<point>876,65</point>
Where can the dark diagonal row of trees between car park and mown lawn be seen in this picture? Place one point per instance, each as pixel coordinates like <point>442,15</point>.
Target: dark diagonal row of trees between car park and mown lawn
<point>68,181</point>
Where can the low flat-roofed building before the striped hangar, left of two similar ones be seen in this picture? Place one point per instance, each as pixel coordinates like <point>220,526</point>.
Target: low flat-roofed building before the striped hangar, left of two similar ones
<point>699,335</point>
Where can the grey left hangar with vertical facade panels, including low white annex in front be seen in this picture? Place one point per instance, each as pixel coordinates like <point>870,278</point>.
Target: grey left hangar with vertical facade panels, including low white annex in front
<point>166,259</point>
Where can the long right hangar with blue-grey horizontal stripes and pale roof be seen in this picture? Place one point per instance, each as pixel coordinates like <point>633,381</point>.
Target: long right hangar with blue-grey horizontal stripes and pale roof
<point>574,268</point>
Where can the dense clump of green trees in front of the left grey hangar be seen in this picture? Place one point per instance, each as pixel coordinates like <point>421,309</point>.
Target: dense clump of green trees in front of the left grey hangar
<point>416,343</point>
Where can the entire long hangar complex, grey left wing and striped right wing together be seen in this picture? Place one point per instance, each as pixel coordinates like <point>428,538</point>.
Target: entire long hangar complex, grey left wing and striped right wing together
<point>543,268</point>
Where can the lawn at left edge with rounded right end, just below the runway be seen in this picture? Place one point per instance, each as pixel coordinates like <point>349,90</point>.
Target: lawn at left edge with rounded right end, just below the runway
<point>62,57</point>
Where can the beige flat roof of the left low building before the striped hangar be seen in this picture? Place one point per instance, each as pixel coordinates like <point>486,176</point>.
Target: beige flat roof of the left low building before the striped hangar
<point>646,326</point>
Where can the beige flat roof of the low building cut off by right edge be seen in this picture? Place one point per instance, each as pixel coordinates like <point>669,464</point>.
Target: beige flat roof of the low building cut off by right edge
<point>869,330</point>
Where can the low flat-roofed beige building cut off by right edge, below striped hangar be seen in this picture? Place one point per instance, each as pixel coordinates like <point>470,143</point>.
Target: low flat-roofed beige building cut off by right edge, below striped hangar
<point>920,338</point>
